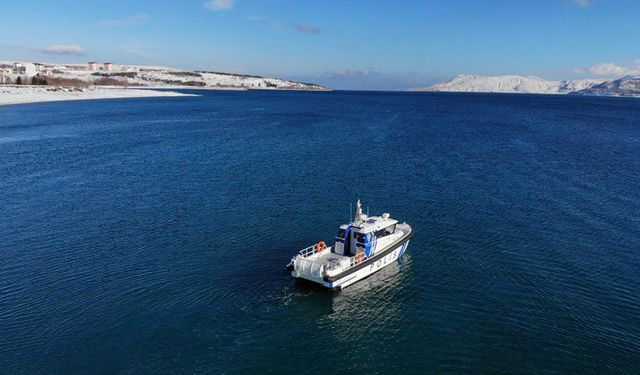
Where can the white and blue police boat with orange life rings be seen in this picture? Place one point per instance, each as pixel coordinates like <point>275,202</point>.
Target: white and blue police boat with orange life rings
<point>361,248</point>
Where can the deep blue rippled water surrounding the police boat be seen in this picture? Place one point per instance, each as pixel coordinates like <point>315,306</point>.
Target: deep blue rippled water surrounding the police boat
<point>150,236</point>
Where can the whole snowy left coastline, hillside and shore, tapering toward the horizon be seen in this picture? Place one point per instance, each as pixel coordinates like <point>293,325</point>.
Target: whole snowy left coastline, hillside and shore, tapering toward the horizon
<point>78,81</point>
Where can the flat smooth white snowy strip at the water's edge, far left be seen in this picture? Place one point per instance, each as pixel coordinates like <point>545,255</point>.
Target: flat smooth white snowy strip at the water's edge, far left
<point>33,94</point>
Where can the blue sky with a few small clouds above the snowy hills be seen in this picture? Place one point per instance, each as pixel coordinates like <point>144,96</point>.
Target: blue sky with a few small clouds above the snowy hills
<point>376,44</point>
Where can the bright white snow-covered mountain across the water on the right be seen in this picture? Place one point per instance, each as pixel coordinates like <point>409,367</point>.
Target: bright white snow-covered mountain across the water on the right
<point>509,84</point>
